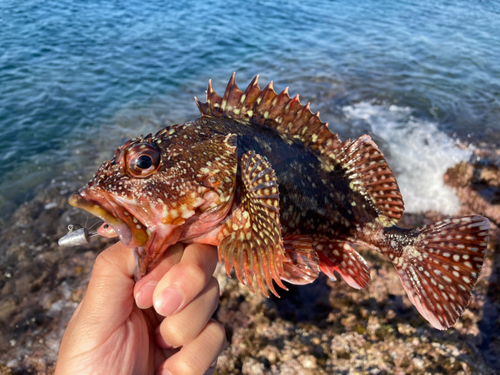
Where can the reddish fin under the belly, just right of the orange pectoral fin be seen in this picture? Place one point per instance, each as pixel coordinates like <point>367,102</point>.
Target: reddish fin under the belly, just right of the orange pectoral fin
<point>302,263</point>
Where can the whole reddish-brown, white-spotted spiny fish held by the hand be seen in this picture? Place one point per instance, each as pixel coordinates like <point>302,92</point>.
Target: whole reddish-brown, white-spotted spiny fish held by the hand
<point>260,176</point>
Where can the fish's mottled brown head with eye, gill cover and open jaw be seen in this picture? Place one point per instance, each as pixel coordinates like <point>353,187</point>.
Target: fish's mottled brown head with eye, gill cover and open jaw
<point>160,189</point>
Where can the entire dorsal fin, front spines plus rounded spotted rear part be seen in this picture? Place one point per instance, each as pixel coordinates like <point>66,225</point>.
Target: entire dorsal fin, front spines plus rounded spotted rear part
<point>363,162</point>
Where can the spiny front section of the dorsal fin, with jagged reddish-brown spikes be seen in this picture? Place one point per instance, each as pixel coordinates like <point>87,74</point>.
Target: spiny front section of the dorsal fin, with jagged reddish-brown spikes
<point>265,107</point>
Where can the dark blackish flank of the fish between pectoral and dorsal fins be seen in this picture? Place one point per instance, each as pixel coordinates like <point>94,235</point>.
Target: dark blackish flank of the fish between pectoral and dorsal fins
<point>304,206</point>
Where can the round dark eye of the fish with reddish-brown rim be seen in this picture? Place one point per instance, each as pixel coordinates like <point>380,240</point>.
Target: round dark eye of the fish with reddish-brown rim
<point>142,160</point>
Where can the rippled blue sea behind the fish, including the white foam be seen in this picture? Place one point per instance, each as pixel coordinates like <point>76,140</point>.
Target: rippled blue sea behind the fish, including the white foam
<point>77,78</point>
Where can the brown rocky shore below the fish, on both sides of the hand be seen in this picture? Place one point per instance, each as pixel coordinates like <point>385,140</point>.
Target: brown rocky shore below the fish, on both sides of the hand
<point>323,328</point>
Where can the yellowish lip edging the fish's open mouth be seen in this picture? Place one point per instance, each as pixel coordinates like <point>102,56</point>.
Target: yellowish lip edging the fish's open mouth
<point>100,205</point>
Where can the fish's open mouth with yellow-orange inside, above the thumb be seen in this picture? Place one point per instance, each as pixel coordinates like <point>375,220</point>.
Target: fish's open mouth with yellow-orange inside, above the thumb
<point>131,233</point>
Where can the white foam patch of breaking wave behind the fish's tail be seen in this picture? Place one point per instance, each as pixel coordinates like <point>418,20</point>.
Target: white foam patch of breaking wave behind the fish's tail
<point>417,152</point>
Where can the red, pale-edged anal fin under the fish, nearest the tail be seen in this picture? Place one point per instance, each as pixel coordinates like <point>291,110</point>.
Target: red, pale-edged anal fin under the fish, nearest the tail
<point>341,257</point>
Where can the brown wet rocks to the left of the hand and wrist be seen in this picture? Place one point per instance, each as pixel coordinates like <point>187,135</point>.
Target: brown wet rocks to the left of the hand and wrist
<point>38,280</point>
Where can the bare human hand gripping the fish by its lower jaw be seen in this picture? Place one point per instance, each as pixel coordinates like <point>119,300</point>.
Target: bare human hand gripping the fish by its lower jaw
<point>116,329</point>
